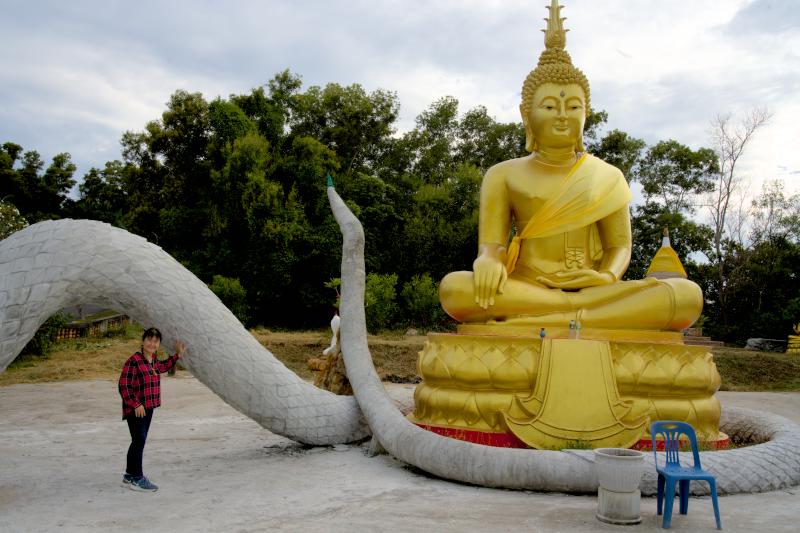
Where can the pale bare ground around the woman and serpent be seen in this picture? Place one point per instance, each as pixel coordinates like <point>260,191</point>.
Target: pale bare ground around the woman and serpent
<point>62,454</point>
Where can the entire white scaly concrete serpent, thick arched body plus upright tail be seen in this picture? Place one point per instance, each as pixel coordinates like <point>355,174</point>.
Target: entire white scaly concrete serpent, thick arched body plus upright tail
<point>55,264</point>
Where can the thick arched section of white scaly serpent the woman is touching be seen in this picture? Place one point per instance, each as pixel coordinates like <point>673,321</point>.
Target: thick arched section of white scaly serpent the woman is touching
<point>56,264</point>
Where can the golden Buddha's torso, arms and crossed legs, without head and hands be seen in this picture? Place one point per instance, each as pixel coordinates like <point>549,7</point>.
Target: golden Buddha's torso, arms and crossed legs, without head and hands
<point>562,227</point>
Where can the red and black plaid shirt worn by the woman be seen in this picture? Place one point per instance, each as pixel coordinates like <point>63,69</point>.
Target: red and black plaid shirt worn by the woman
<point>140,382</point>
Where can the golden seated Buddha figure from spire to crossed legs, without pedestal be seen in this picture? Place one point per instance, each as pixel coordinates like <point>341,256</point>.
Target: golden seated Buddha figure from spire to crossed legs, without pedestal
<point>570,213</point>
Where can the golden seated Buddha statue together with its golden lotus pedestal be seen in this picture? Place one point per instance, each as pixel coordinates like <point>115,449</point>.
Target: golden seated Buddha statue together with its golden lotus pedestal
<point>553,347</point>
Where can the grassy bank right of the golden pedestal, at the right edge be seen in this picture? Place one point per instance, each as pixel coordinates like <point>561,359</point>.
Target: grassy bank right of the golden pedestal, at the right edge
<point>747,370</point>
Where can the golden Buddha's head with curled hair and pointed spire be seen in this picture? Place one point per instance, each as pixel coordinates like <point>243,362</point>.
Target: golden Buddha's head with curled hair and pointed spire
<point>555,88</point>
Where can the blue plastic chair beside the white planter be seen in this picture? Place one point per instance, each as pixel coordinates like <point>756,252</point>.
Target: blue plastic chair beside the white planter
<point>673,473</point>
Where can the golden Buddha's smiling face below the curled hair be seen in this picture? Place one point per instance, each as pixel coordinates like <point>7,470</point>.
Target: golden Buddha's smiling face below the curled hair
<point>557,116</point>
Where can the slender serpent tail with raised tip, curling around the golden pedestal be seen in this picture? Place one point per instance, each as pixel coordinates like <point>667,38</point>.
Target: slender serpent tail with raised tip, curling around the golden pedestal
<point>769,466</point>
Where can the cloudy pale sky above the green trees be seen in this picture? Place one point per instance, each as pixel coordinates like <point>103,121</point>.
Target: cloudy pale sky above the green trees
<point>75,75</point>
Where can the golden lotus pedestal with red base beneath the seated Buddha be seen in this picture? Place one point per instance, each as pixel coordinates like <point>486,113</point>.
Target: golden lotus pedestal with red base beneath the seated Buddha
<point>502,385</point>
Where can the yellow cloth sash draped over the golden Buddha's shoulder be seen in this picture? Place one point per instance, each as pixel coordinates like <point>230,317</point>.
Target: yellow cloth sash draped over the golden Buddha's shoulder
<point>587,194</point>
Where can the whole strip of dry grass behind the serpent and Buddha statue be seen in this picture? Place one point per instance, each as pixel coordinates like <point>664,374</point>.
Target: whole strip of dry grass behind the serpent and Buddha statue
<point>395,358</point>
